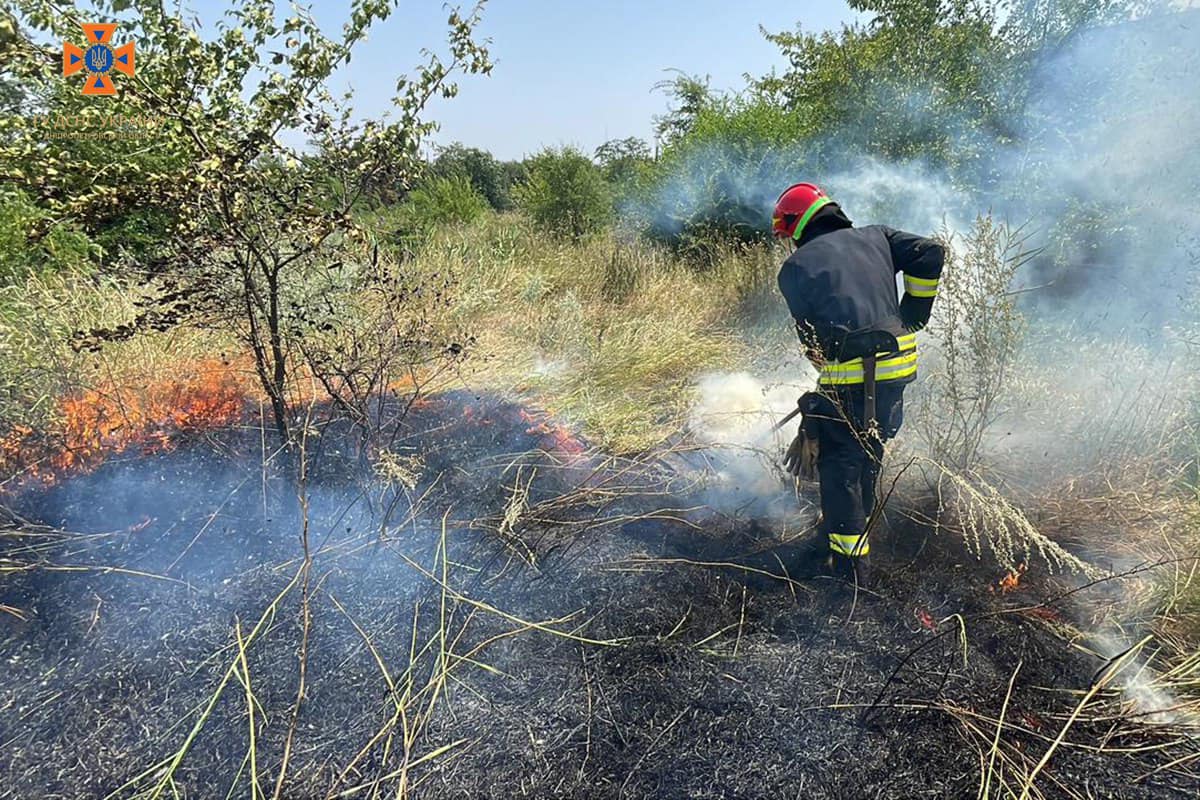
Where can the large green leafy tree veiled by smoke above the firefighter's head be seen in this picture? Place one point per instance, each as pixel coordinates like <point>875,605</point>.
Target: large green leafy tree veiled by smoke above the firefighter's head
<point>941,83</point>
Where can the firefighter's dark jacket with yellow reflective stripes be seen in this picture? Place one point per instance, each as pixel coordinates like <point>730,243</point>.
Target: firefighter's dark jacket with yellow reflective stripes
<point>843,282</point>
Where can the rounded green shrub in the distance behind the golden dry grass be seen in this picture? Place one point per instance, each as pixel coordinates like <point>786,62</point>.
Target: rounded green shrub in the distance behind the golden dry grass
<point>566,194</point>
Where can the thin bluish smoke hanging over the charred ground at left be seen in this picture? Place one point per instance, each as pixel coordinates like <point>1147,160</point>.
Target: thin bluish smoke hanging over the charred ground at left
<point>124,625</point>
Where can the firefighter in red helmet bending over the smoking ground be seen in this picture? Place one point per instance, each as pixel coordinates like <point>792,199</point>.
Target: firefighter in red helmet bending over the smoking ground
<point>841,286</point>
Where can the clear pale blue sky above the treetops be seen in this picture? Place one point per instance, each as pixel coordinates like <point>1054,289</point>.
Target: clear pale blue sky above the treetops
<point>569,71</point>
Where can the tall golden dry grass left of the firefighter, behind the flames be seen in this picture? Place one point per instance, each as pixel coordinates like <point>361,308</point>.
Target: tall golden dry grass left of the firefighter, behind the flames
<point>608,334</point>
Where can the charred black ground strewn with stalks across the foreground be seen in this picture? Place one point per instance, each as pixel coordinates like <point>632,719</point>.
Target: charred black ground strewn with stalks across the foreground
<point>721,683</point>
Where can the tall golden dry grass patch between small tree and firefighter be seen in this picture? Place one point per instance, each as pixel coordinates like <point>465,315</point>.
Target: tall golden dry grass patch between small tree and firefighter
<point>607,333</point>
